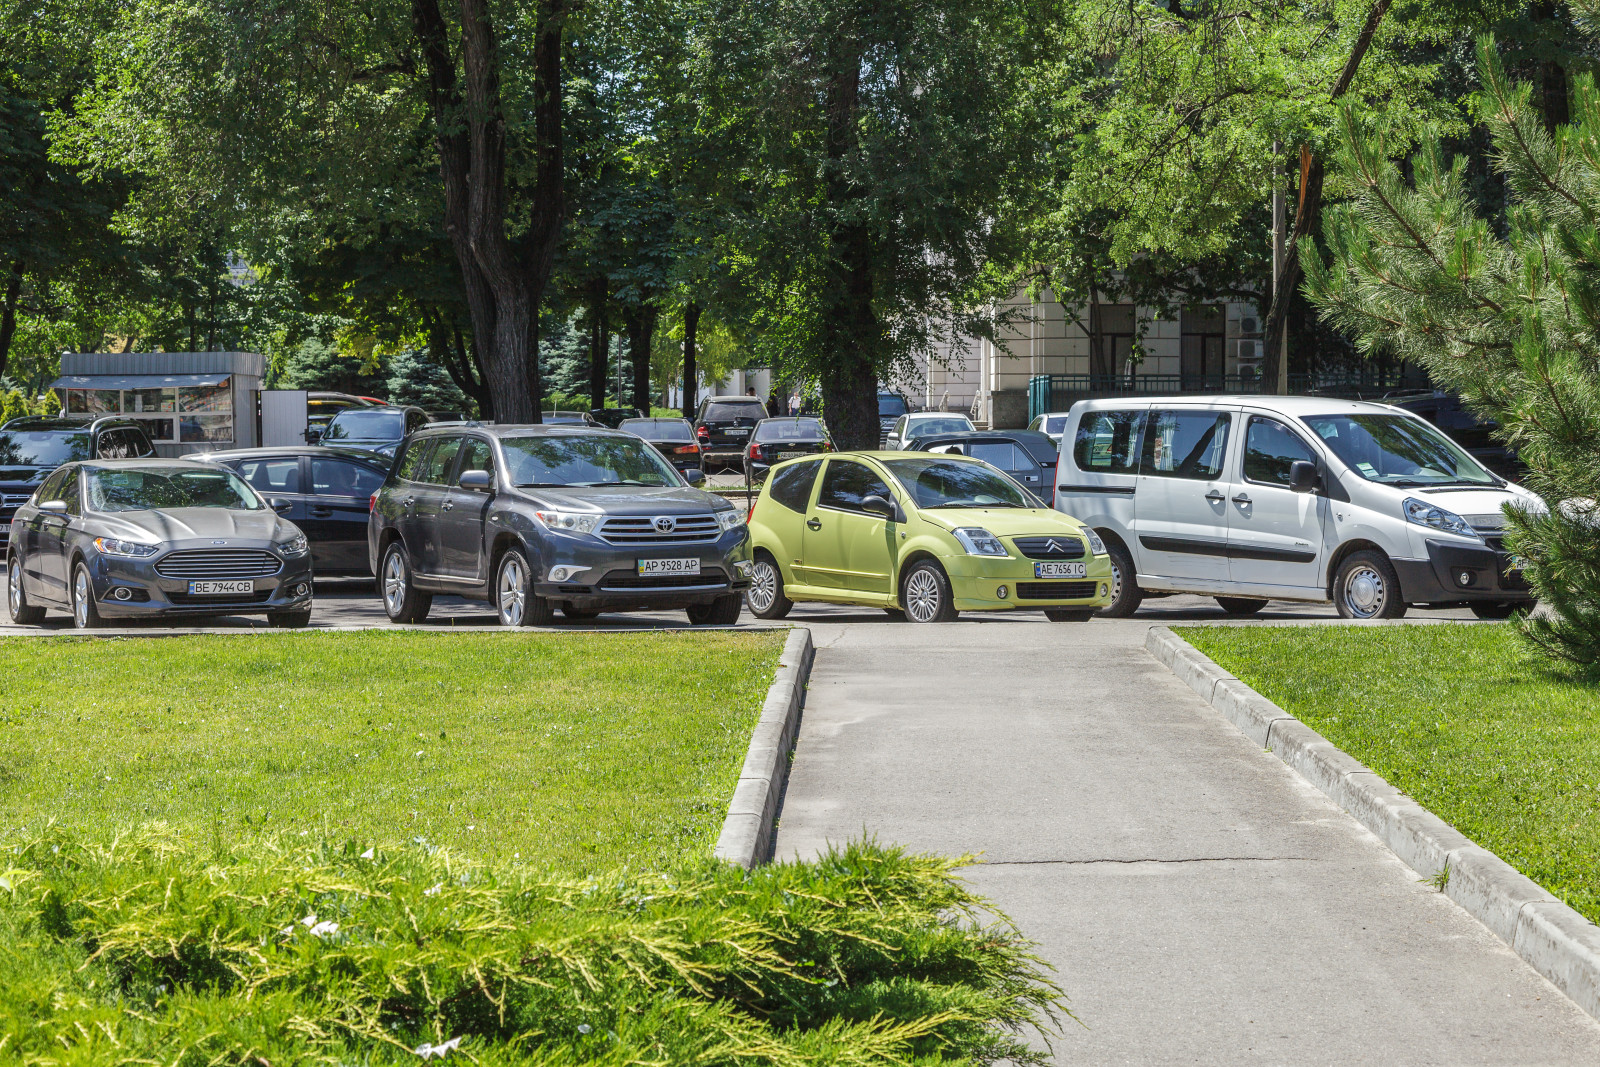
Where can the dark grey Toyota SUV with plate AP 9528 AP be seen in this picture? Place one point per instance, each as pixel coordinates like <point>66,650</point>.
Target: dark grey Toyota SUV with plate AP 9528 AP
<point>543,518</point>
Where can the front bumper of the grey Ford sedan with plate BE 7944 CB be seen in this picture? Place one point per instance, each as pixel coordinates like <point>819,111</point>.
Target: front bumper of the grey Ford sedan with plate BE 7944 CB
<point>151,594</point>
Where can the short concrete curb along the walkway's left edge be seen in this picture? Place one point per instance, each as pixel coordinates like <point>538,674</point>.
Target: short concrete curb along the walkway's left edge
<point>748,831</point>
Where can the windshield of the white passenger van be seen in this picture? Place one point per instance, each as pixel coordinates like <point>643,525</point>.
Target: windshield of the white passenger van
<point>1398,450</point>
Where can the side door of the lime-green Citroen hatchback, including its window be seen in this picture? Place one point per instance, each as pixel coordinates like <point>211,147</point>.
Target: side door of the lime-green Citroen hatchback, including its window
<point>847,549</point>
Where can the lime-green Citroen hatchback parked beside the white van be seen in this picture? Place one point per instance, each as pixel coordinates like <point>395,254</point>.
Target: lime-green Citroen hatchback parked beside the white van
<point>921,535</point>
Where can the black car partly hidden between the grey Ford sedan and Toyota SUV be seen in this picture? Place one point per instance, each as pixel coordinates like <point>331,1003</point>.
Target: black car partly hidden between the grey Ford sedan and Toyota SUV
<point>324,490</point>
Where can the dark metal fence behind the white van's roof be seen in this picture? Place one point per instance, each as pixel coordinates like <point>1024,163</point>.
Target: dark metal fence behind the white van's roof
<point>1058,393</point>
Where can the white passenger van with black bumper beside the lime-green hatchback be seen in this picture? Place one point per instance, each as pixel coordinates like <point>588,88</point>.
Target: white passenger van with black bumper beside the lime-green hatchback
<point>1289,498</point>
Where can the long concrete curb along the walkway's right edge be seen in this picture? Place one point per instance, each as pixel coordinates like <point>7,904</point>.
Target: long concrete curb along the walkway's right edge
<point>1559,943</point>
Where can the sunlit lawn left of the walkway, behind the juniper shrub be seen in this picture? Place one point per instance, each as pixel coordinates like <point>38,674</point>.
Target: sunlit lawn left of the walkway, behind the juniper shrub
<point>577,751</point>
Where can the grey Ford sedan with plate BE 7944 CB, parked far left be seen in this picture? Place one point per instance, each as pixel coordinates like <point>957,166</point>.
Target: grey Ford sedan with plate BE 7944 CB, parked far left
<point>138,538</point>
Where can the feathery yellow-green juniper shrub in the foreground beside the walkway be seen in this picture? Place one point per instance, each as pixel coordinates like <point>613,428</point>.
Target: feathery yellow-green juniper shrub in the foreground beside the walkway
<point>156,949</point>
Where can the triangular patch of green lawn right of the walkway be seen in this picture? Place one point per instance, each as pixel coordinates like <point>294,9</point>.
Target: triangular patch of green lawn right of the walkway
<point>1494,740</point>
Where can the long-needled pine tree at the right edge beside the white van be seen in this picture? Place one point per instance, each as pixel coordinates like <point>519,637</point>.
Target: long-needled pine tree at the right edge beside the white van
<point>1510,321</point>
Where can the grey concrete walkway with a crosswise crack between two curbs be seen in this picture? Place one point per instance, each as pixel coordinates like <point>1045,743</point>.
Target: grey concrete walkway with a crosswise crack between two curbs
<point>1201,903</point>
